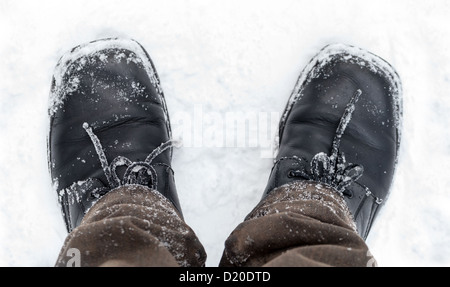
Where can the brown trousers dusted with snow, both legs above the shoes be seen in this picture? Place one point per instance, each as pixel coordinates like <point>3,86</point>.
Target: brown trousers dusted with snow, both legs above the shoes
<point>301,224</point>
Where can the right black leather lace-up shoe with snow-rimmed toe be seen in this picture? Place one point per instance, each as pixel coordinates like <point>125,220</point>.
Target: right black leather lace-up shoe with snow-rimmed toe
<point>341,127</point>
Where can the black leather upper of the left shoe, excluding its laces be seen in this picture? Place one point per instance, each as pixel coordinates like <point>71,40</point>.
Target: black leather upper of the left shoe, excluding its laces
<point>112,91</point>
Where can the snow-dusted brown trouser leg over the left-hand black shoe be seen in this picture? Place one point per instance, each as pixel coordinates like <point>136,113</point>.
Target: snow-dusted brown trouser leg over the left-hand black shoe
<point>133,226</point>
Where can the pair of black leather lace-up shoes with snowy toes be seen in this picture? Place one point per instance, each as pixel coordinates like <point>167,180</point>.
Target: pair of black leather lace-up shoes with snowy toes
<point>110,128</point>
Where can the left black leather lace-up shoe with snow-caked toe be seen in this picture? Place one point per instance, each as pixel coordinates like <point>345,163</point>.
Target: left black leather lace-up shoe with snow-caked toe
<point>109,126</point>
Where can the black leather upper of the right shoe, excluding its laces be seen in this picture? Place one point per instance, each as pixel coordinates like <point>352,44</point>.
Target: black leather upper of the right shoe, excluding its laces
<point>370,138</point>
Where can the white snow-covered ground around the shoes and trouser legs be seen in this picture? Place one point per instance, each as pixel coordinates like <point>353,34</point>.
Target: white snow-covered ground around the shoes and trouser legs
<point>220,60</point>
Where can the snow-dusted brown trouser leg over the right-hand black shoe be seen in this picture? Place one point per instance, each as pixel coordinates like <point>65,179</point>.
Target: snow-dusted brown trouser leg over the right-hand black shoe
<point>300,224</point>
